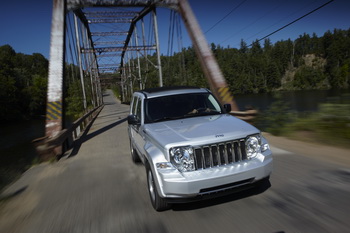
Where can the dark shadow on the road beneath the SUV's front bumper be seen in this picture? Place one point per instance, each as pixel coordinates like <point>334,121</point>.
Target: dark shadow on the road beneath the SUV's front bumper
<point>259,188</point>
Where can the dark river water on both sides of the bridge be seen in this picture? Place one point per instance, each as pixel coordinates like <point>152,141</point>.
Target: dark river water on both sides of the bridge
<point>17,152</point>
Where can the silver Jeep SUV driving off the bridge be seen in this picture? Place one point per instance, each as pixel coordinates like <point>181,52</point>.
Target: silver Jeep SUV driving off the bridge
<point>191,147</point>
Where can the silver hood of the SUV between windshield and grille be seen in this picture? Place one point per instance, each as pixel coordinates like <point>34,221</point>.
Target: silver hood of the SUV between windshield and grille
<point>199,130</point>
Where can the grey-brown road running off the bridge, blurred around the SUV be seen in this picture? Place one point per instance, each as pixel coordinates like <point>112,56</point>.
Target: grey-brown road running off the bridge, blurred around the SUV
<point>99,189</point>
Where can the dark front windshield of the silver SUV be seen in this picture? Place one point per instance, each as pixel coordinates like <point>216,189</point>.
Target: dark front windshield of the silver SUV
<point>180,106</point>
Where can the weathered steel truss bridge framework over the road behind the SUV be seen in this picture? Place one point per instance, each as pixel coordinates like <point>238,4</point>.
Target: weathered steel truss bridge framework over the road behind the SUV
<point>91,39</point>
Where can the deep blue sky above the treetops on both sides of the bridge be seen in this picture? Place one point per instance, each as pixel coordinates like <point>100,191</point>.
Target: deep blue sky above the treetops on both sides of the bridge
<point>25,25</point>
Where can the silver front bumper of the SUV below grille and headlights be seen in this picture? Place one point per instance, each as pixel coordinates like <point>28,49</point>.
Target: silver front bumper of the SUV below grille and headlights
<point>174,184</point>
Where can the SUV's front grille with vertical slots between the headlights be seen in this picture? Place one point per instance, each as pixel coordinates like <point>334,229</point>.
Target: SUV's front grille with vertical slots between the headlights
<point>220,154</point>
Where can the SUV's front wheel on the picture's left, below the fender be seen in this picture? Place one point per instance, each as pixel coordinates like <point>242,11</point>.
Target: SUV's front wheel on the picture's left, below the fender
<point>158,203</point>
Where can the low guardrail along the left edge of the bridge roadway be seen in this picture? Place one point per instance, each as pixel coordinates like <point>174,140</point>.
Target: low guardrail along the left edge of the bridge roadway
<point>47,148</point>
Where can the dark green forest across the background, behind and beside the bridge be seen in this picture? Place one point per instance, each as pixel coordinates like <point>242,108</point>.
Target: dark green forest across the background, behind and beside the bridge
<point>309,62</point>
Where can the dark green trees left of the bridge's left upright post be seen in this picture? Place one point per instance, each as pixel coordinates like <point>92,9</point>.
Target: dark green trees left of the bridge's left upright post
<point>23,83</point>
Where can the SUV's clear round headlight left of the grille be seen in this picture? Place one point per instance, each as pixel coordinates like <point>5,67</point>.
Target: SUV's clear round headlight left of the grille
<point>182,158</point>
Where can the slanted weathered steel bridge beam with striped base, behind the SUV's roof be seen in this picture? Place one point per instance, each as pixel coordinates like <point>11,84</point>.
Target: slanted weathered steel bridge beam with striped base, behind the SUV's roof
<point>208,62</point>
